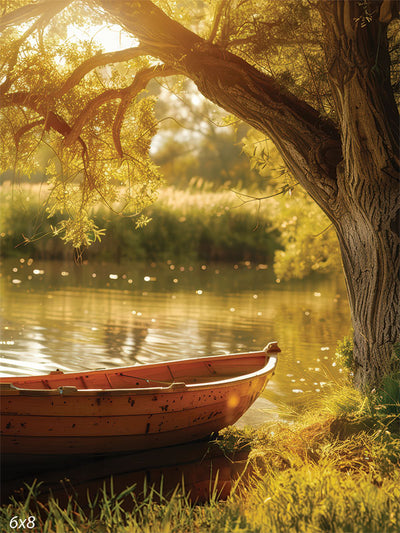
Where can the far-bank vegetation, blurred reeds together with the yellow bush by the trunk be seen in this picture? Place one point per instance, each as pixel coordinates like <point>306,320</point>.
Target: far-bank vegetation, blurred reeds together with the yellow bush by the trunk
<point>200,222</point>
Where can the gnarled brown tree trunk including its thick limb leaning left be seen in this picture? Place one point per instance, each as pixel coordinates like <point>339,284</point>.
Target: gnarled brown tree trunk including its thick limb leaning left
<point>352,171</point>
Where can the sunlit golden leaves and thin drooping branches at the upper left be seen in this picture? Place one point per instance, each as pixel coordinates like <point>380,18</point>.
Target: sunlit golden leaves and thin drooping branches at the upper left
<point>93,131</point>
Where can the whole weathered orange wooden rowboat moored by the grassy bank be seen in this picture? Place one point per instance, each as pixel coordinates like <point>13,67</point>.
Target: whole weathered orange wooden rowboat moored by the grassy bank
<point>132,408</point>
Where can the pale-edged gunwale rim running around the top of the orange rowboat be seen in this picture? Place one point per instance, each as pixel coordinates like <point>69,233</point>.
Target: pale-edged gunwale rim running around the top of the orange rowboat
<point>172,388</point>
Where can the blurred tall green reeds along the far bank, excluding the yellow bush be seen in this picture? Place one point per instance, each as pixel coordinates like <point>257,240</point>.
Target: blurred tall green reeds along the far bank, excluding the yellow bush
<point>194,224</point>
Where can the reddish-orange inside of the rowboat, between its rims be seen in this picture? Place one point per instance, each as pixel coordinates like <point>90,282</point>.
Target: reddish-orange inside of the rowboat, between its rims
<point>188,371</point>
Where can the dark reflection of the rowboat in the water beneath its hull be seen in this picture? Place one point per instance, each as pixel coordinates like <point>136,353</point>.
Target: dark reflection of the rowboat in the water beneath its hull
<point>201,468</point>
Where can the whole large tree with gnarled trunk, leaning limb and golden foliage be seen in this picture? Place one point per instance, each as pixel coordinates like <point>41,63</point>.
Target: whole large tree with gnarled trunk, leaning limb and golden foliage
<point>317,78</point>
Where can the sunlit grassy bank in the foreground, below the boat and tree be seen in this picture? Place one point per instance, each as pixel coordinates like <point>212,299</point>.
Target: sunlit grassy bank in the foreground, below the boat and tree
<point>336,470</point>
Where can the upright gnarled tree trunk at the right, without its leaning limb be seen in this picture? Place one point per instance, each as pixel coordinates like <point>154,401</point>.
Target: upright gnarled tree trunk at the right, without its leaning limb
<point>367,209</point>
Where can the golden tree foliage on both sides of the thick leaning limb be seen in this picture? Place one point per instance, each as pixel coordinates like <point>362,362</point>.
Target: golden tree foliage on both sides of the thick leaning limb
<point>86,109</point>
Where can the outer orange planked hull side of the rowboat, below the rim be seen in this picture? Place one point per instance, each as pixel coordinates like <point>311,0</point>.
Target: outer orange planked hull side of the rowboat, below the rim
<point>76,421</point>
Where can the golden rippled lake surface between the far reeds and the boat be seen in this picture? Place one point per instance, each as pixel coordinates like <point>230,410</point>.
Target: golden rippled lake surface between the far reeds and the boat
<point>74,317</point>
